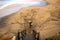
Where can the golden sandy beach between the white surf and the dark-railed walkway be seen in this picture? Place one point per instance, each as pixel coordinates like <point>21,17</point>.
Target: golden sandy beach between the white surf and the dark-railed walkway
<point>45,19</point>
